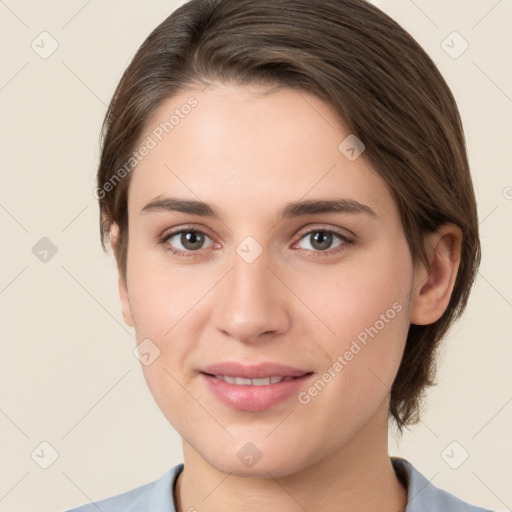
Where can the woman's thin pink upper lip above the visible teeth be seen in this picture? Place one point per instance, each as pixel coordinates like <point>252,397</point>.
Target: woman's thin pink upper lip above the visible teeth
<point>253,371</point>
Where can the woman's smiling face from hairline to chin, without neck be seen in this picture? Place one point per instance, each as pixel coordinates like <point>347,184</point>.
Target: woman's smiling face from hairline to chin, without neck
<point>297,258</point>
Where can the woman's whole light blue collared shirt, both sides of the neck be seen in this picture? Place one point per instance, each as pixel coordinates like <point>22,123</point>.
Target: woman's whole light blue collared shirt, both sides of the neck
<point>157,496</point>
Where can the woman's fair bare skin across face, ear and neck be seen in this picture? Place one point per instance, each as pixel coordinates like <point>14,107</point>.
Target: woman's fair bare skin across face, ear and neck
<point>248,152</point>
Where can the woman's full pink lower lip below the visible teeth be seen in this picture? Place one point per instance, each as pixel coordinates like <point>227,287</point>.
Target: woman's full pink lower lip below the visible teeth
<point>254,398</point>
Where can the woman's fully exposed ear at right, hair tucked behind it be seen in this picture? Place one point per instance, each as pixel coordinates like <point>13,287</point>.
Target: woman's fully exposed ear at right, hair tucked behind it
<point>433,288</point>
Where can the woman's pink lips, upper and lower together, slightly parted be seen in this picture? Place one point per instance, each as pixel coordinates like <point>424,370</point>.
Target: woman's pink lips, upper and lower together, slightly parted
<point>254,398</point>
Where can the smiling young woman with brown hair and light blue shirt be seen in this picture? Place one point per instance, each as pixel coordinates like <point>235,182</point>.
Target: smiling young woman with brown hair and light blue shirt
<point>287,193</point>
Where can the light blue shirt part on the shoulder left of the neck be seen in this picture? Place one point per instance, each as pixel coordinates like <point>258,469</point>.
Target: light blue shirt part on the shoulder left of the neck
<point>155,496</point>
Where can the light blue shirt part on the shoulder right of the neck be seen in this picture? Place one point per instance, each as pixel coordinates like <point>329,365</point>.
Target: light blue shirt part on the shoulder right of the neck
<point>423,496</point>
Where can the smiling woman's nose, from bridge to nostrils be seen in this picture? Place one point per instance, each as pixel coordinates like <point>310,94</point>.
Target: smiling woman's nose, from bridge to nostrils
<point>251,305</point>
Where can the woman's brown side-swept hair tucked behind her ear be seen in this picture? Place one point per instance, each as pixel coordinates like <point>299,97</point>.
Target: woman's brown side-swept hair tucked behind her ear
<point>383,86</point>
